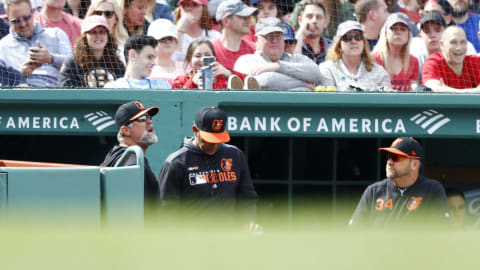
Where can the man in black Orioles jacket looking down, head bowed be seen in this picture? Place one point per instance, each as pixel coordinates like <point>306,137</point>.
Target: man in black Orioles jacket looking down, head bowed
<point>206,174</point>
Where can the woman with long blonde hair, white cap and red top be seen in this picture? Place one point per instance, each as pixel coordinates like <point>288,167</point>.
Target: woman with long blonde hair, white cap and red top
<point>392,52</point>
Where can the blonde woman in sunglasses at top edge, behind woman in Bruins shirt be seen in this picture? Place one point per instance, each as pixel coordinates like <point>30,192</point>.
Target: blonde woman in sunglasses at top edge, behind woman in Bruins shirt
<point>111,11</point>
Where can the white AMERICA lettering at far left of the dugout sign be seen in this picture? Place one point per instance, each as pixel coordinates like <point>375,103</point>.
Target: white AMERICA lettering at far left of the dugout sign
<point>38,122</point>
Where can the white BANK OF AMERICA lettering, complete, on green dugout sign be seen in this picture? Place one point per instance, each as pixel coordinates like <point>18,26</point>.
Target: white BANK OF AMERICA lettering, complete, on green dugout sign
<point>320,125</point>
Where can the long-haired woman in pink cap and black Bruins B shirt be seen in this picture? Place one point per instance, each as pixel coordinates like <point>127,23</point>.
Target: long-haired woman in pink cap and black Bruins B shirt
<point>95,61</point>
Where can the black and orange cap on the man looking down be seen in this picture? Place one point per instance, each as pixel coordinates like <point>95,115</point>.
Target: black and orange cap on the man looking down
<point>210,122</point>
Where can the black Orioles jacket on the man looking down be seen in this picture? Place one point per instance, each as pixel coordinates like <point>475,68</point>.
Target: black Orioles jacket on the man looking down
<point>198,181</point>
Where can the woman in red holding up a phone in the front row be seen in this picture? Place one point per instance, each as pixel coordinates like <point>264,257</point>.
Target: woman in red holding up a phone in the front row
<point>198,52</point>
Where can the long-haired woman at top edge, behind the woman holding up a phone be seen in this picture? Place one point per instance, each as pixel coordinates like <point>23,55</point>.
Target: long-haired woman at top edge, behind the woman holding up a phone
<point>192,21</point>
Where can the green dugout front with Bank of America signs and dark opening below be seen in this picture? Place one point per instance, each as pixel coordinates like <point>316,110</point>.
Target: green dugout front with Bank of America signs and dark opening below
<point>299,145</point>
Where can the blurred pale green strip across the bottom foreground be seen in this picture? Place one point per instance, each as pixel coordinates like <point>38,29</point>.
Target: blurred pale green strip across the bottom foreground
<point>212,244</point>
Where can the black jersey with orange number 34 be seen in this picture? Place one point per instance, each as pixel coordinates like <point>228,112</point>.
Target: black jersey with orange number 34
<point>384,203</point>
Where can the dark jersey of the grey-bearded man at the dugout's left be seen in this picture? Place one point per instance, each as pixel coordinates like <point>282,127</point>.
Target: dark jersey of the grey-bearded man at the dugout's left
<point>151,190</point>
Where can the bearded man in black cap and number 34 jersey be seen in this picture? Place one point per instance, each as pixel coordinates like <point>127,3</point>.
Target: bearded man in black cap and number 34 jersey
<point>405,196</point>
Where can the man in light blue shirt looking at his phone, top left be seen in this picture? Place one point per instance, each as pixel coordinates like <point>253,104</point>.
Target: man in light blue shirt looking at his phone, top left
<point>37,52</point>
